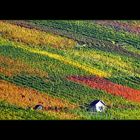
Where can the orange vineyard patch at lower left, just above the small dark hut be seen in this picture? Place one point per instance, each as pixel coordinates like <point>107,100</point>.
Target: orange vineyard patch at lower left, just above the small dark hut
<point>25,97</point>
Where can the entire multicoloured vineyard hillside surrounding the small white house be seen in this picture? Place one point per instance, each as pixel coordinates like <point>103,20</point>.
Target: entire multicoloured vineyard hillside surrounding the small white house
<point>64,65</point>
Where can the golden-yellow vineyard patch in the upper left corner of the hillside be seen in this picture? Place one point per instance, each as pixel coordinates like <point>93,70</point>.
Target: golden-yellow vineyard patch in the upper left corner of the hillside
<point>33,36</point>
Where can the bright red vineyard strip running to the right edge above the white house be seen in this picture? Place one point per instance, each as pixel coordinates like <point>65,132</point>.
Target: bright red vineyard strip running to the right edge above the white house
<point>110,87</point>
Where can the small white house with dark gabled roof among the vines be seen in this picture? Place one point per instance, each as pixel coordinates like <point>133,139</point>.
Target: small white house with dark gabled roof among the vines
<point>97,106</point>
